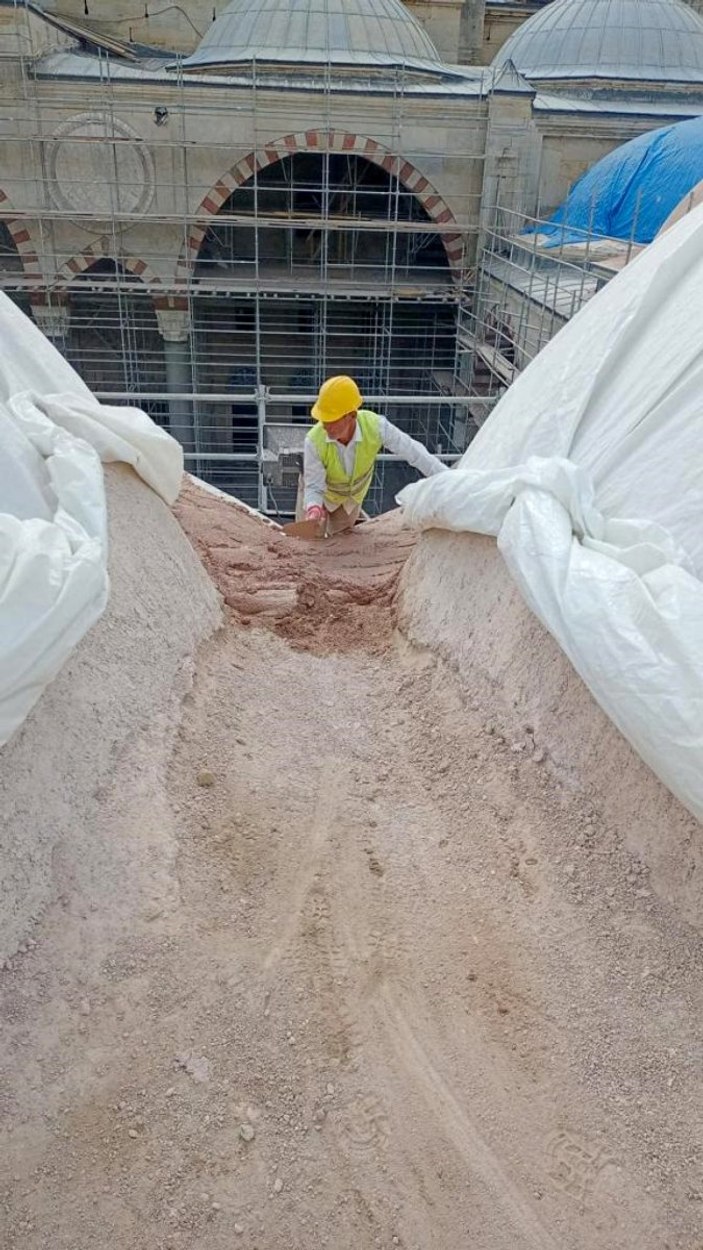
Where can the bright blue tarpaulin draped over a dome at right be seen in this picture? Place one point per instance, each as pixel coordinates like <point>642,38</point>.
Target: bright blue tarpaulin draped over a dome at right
<point>631,193</point>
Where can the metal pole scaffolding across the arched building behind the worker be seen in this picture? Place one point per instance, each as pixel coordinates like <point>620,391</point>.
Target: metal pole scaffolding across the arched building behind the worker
<point>222,321</point>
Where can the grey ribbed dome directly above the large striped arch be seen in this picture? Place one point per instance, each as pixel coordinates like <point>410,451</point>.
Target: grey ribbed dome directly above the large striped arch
<point>355,33</point>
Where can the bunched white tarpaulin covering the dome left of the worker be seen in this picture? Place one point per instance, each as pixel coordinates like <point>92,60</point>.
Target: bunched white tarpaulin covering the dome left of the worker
<point>53,511</point>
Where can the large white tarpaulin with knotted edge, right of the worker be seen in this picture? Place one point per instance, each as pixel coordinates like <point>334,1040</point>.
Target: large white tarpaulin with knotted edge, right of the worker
<point>590,472</point>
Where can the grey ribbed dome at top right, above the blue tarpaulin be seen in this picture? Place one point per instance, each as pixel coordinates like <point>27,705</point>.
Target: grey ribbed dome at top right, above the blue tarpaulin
<point>642,41</point>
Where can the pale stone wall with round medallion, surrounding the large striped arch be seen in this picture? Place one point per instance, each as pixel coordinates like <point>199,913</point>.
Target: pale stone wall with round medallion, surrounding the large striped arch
<point>172,172</point>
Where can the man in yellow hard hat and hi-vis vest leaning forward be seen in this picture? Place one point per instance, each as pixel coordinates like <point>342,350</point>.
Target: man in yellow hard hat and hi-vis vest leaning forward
<point>341,453</point>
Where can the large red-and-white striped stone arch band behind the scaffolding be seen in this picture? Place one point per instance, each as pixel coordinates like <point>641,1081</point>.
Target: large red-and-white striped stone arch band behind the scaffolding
<point>325,142</point>
